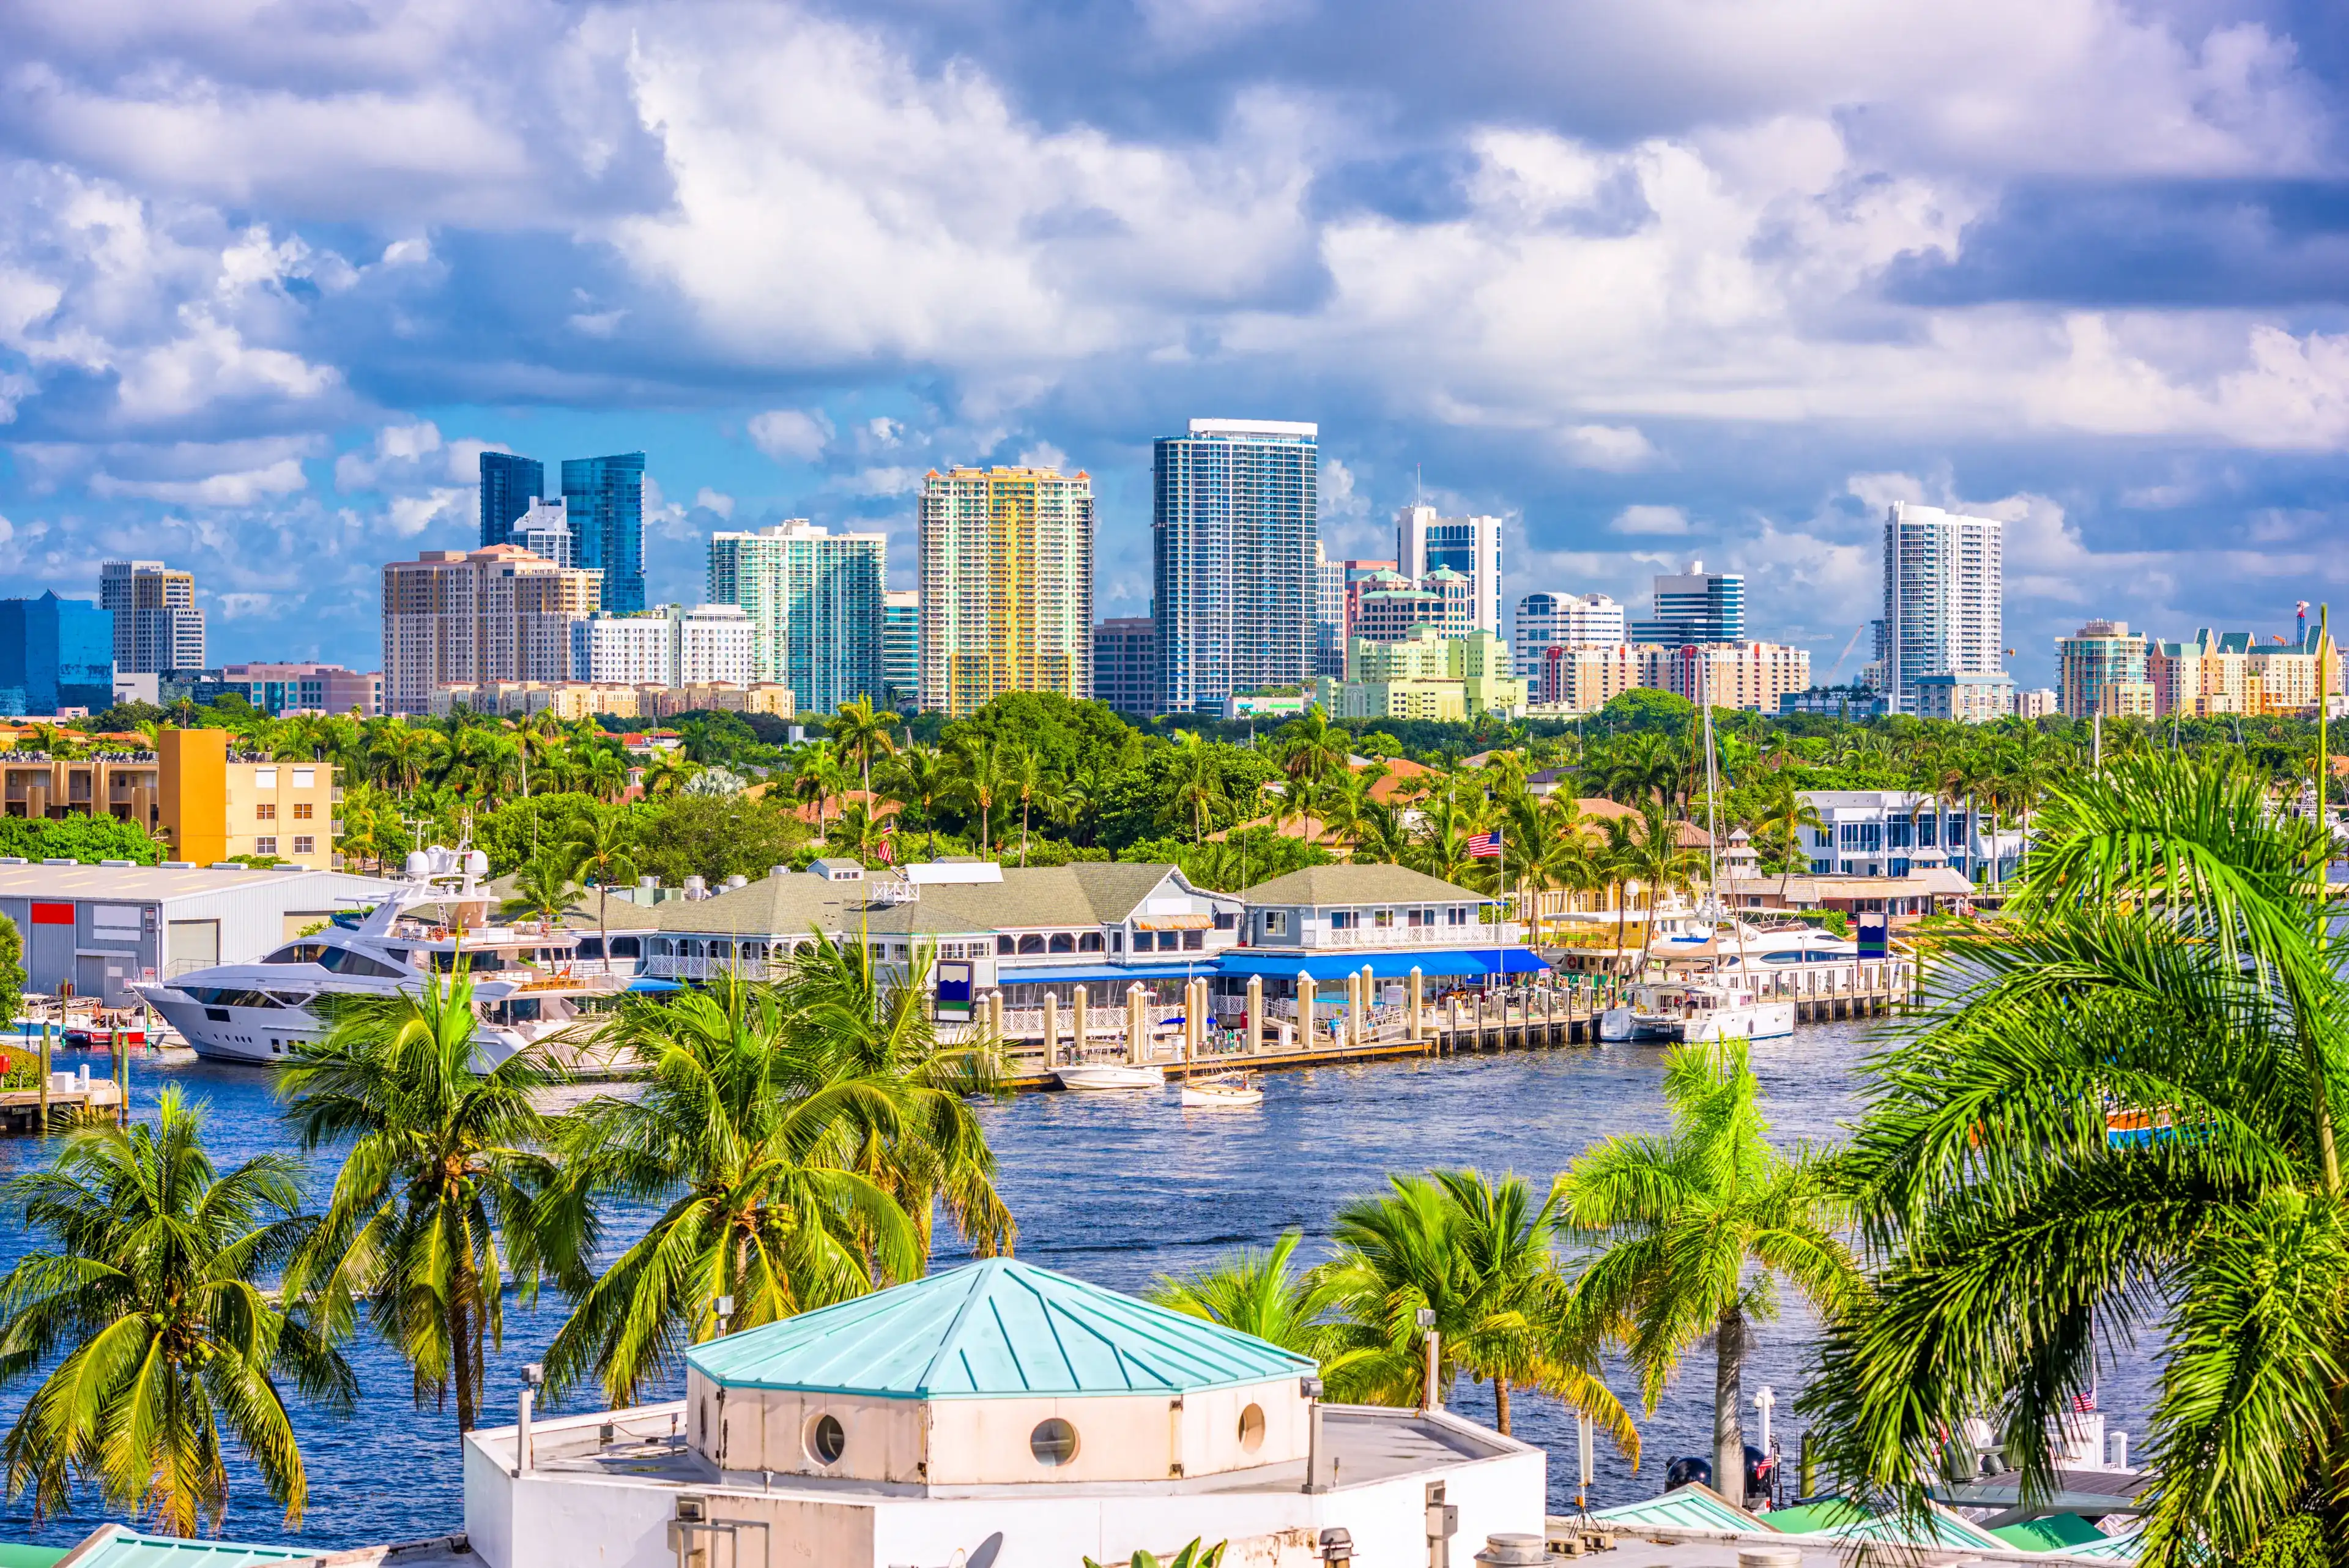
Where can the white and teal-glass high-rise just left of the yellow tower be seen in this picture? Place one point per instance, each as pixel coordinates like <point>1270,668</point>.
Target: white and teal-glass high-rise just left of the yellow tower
<point>816,608</point>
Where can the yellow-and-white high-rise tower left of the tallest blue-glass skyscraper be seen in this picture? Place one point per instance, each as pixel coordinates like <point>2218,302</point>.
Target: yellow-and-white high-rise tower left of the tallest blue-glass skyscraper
<point>1007,587</point>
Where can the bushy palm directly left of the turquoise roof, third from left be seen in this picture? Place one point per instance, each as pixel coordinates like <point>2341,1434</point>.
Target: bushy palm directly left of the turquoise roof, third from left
<point>755,1170</point>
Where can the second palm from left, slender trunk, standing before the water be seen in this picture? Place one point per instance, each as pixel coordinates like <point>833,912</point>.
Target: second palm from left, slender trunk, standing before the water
<point>433,1209</point>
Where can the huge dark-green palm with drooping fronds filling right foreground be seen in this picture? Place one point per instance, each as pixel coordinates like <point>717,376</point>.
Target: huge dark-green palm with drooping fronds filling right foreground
<point>2172,965</point>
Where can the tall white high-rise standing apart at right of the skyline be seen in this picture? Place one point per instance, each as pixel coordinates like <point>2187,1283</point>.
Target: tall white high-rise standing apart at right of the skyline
<point>1944,589</point>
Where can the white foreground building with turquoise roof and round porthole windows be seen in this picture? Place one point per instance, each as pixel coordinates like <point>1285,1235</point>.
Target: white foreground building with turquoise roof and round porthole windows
<point>995,1414</point>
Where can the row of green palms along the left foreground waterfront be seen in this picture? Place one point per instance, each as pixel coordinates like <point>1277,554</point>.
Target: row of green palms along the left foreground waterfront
<point>800,1137</point>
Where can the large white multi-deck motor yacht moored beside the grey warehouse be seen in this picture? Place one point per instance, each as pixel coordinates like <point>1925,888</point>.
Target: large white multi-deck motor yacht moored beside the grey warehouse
<point>527,979</point>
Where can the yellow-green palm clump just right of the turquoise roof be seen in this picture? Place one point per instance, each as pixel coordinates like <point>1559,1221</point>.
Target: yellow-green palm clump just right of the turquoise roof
<point>1479,1257</point>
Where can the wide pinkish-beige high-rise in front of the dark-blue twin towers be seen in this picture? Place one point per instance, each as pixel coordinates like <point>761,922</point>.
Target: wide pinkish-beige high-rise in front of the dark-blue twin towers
<point>492,615</point>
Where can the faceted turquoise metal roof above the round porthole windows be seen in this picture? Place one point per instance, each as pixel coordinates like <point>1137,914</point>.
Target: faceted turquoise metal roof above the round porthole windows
<point>995,1327</point>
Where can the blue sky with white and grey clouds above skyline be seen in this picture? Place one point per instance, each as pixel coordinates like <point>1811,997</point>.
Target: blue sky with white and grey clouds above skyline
<point>1655,281</point>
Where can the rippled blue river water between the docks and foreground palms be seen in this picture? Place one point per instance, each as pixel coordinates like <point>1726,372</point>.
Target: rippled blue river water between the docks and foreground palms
<point>1119,1191</point>
